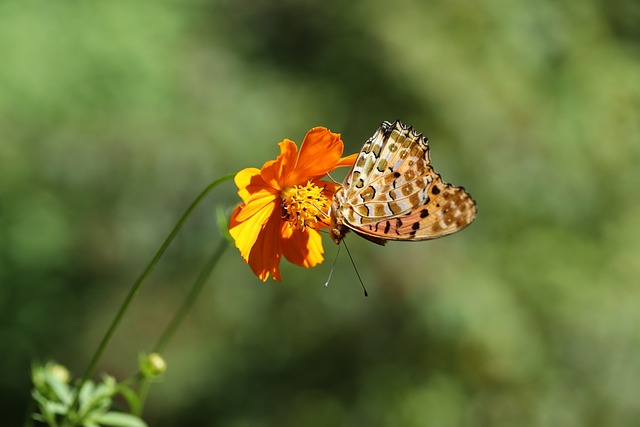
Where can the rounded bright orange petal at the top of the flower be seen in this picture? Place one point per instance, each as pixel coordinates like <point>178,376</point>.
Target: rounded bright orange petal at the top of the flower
<point>319,153</point>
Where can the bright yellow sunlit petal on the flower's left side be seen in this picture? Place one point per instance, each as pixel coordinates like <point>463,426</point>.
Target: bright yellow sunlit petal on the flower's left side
<point>245,233</point>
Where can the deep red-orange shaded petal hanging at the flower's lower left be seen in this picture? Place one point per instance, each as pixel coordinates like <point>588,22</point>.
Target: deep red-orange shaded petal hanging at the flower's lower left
<point>266,251</point>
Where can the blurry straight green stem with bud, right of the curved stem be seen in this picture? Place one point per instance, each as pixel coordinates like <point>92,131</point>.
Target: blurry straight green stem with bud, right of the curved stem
<point>170,331</point>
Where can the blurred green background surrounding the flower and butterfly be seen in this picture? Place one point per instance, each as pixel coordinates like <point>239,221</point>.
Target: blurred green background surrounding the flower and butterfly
<point>115,115</point>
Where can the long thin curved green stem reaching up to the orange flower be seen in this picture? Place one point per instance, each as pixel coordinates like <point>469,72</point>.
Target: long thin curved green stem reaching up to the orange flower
<point>136,286</point>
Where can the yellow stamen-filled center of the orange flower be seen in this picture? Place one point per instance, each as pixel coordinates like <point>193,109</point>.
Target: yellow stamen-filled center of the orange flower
<point>304,206</point>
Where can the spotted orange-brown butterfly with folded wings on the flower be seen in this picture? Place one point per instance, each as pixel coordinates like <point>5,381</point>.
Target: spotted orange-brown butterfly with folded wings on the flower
<point>393,193</point>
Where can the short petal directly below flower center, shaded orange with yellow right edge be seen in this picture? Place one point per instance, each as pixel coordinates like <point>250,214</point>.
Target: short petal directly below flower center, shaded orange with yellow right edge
<point>303,248</point>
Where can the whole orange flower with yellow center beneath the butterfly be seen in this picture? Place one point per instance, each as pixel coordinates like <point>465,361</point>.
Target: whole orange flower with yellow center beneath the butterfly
<point>285,203</point>
